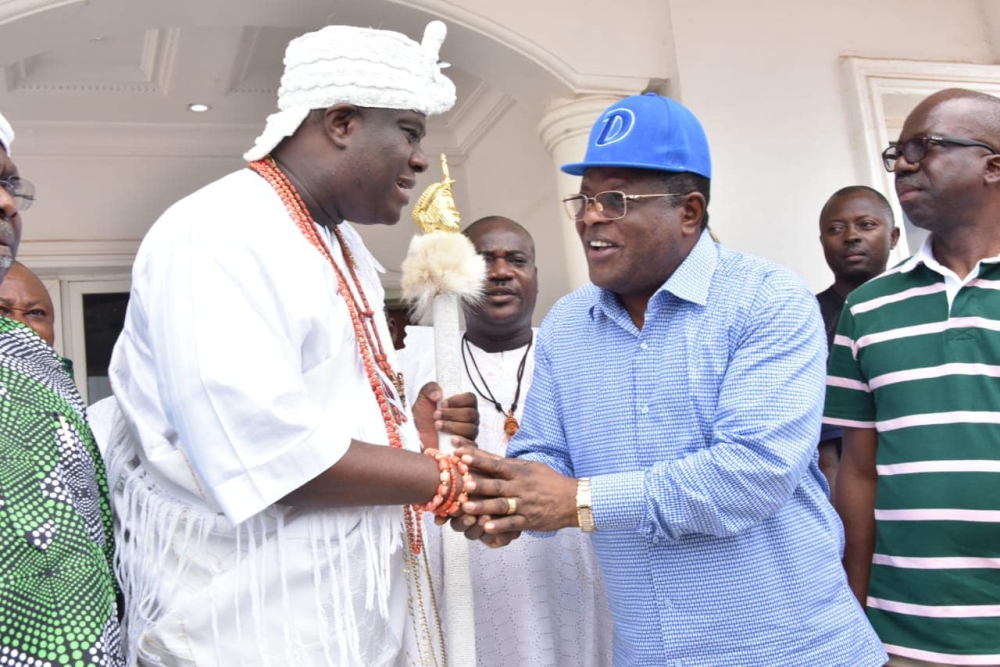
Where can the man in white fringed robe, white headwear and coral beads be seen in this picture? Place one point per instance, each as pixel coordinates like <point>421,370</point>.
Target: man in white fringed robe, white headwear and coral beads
<point>260,512</point>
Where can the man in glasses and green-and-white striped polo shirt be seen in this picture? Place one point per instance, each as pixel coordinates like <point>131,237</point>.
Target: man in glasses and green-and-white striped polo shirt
<point>913,383</point>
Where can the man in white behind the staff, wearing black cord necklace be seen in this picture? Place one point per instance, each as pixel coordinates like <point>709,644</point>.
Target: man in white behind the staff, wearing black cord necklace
<point>539,602</point>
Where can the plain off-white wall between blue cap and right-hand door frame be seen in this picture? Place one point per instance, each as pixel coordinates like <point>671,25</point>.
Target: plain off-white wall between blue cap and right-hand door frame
<point>766,81</point>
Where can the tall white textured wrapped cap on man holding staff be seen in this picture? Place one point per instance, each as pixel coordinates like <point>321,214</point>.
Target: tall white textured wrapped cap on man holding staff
<point>362,66</point>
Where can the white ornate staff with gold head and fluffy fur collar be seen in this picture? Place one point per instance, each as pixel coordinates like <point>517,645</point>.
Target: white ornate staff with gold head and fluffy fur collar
<point>441,269</point>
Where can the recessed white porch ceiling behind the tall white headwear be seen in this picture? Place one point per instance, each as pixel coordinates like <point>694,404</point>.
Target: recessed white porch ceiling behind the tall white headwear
<point>150,77</point>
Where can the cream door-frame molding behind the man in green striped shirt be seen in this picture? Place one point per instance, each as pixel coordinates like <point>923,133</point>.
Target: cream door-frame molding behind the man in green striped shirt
<point>871,82</point>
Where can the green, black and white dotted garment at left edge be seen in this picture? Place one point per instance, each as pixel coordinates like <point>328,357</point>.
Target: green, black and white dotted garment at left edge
<point>57,587</point>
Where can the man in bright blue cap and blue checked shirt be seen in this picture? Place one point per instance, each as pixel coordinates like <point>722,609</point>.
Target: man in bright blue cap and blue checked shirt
<point>674,415</point>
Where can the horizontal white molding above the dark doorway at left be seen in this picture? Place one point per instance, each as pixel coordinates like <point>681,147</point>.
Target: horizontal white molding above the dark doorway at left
<point>53,258</point>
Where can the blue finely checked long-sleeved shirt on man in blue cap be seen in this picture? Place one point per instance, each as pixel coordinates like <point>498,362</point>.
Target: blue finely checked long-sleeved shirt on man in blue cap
<point>714,532</point>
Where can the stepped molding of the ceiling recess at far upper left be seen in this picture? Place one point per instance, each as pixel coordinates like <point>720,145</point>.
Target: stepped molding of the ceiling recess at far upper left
<point>151,75</point>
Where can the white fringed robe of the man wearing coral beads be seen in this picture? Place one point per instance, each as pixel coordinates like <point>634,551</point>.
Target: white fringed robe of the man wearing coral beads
<point>239,379</point>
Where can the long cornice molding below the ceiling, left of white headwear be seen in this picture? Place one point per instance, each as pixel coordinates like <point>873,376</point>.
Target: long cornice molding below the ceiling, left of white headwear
<point>73,139</point>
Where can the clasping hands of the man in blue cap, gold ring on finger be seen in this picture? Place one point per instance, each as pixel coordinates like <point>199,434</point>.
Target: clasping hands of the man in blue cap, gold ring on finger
<point>513,496</point>
